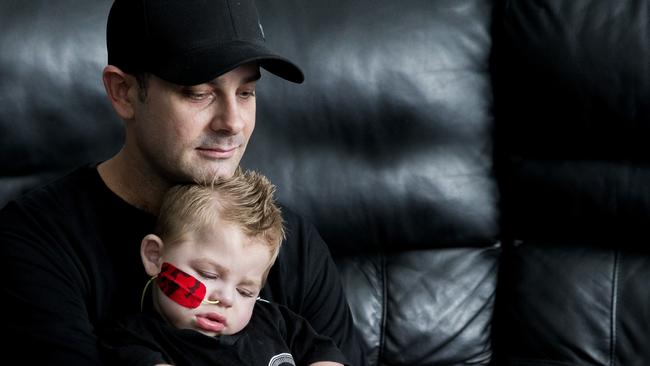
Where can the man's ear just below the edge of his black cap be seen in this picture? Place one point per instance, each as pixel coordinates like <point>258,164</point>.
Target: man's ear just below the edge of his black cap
<point>122,91</point>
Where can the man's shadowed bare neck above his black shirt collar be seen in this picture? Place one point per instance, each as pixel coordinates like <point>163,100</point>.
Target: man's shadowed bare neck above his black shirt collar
<point>122,176</point>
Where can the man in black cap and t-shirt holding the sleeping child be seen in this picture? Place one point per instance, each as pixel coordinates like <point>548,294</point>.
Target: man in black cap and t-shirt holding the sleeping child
<point>182,76</point>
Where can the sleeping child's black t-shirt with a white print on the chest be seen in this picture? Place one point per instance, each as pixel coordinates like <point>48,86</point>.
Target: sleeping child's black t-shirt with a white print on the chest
<point>274,336</point>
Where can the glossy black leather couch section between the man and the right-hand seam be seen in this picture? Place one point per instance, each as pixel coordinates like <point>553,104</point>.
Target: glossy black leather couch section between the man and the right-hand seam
<point>387,148</point>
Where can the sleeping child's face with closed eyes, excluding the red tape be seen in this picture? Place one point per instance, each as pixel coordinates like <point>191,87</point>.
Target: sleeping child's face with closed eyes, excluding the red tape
<point>230,265</point>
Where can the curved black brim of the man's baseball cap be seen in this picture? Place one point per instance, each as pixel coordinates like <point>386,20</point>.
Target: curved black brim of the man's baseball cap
<point>208,63</point>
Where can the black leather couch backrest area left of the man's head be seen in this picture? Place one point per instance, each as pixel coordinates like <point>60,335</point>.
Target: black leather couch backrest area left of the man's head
<point>53,111</point>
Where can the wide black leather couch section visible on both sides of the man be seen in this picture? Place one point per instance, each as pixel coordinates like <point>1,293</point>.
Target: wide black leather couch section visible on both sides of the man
<point>387,148</point>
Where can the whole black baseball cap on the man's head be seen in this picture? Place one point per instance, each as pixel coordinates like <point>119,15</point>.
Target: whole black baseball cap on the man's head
<point>189,42</point>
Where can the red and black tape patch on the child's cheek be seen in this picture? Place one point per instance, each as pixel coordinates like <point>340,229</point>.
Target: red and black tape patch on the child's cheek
<point>180,286</point>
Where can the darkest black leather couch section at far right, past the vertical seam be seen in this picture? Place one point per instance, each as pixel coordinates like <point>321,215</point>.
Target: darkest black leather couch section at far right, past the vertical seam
<point>572,93</point>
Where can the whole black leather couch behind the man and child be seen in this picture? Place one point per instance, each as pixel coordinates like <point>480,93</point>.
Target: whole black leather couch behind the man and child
<point>480,169</point>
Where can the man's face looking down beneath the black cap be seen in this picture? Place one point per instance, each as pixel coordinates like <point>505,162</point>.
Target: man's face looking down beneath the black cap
<point>187,133</point>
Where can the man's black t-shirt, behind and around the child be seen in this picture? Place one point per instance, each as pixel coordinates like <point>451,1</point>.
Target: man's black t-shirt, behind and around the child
<point>70,258</point>
